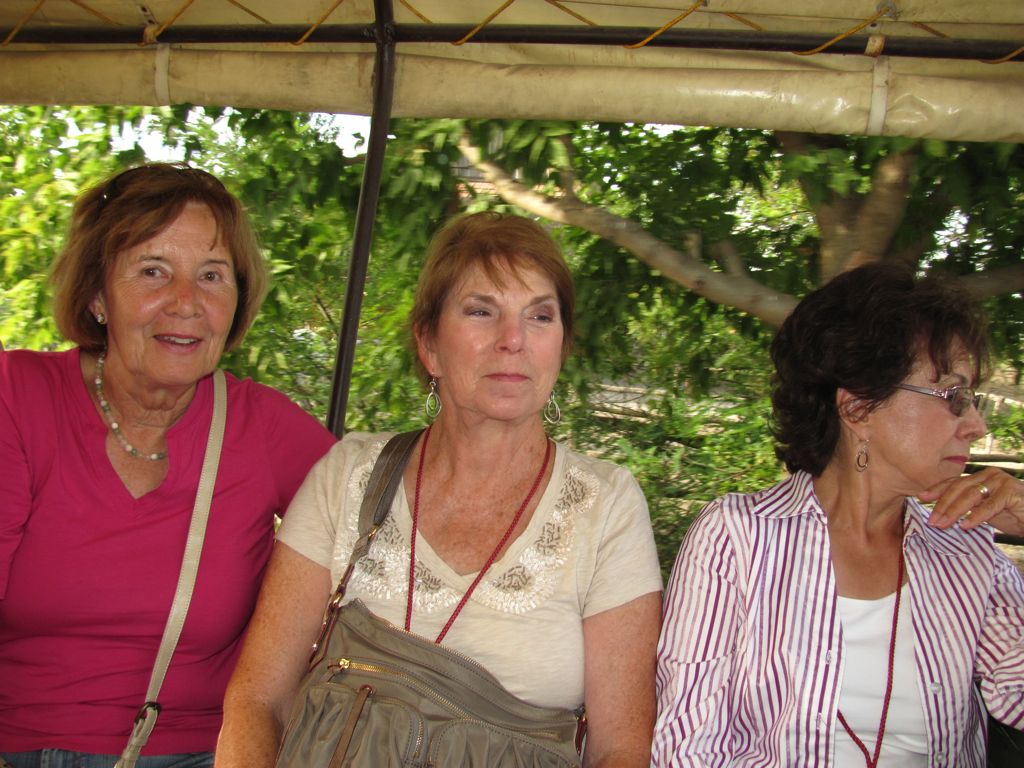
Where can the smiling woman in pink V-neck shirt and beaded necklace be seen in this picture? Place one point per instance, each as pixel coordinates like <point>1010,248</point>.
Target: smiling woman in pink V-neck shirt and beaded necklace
<point>101,451</point>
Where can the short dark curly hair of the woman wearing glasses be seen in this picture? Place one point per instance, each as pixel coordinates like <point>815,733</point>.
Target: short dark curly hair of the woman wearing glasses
<point>864,332</point>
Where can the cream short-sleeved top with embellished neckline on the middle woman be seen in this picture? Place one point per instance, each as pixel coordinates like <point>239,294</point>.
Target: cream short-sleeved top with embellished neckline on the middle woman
<point>588,548</point>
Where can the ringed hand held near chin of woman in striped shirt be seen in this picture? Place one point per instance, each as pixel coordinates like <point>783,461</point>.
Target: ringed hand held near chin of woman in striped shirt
<point>990,496</point>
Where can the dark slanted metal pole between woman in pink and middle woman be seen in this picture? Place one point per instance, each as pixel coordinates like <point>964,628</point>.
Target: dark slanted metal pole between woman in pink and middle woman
<point>365,215</point>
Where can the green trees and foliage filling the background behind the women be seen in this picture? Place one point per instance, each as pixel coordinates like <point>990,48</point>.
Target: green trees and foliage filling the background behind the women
<point>689,246</point>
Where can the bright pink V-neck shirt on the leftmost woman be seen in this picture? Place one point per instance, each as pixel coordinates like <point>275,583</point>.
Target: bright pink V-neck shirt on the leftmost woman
<point>88,573</point>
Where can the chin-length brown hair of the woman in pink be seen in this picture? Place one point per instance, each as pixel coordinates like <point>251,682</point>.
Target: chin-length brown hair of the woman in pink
<point>131,208</point>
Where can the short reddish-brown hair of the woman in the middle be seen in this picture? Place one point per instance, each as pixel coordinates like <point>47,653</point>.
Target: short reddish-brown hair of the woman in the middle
<point>493,241</point>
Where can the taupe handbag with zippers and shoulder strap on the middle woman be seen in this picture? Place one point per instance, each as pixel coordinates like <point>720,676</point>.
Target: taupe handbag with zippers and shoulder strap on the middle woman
<point>376,696</point>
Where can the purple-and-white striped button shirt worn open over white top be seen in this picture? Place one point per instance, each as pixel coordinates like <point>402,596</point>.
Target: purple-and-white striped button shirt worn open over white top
<point>751,657</point>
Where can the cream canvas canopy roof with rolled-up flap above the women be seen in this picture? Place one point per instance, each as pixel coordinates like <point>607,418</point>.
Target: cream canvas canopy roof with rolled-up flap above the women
<point>943,69</point>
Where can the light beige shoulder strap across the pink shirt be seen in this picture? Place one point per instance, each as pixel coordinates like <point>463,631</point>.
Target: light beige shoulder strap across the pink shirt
<point>146,719</point>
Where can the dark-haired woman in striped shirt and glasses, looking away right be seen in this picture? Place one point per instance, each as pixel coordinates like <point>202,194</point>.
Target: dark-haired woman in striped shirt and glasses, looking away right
<point>833,620</point>
